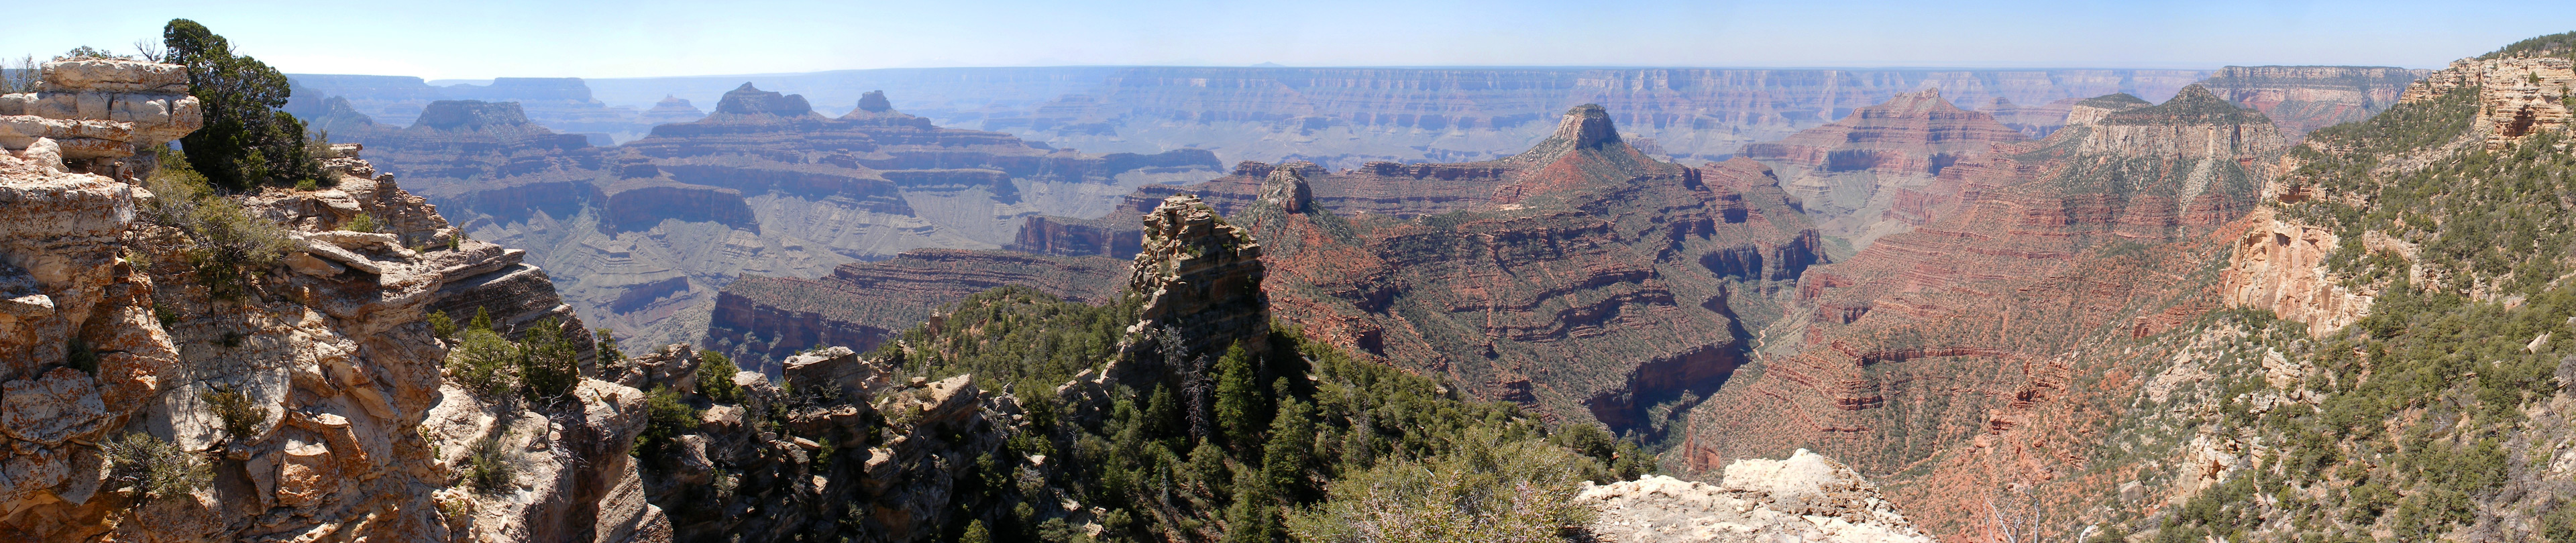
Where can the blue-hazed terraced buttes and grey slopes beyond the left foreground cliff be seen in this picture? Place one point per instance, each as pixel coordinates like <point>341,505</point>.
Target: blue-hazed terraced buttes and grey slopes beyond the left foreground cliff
<point>648,233</point>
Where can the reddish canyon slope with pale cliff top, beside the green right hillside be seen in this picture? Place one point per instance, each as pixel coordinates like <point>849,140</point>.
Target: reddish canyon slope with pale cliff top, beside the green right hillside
<point>1941,341</point>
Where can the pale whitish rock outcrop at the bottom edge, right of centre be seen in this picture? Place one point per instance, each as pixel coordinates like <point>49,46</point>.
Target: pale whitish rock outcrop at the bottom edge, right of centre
<point>1802,498</point>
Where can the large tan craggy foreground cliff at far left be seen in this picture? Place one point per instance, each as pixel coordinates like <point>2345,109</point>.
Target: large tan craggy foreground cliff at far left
<point>310,390</point>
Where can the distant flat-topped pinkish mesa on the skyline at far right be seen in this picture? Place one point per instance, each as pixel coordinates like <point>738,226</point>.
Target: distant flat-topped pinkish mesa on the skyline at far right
<point>2307,99</point>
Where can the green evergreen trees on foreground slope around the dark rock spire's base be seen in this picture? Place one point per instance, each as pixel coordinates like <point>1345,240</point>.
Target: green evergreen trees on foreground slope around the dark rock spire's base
<point>1284,436</point>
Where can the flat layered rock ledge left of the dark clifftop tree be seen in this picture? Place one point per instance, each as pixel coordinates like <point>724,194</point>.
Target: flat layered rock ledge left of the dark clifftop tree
<point>94,112</point>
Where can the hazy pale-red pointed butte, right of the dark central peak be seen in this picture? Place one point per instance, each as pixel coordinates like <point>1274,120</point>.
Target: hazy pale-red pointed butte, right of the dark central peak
<point>1848,174</point>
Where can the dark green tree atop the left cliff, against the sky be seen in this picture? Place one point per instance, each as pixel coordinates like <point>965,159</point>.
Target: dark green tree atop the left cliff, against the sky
<point>246,138</point>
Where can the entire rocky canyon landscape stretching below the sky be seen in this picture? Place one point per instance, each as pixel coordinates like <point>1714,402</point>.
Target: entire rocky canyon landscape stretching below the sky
<point>1191,305</point>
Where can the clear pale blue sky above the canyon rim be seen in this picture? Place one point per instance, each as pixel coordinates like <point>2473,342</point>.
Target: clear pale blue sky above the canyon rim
<point>473,40</point>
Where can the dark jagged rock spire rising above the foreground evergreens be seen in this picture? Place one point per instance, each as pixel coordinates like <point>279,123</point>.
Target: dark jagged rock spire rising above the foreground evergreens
<point>1202,279</point>
